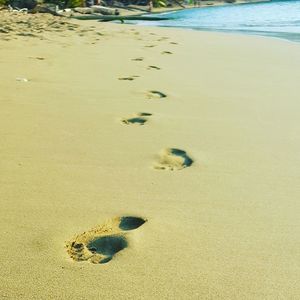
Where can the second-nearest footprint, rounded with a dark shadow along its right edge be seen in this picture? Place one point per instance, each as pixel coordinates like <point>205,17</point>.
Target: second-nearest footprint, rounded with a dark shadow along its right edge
<point>173,159</point>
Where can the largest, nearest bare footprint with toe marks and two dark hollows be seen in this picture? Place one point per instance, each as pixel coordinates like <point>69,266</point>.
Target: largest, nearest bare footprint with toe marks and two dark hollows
<point>100,244</point>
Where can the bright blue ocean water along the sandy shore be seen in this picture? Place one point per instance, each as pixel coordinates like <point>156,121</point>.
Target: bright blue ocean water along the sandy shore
<point>276,18</point>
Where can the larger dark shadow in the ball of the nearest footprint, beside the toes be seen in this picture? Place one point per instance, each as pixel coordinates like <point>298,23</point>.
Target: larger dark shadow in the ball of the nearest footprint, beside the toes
<point>107,245</point>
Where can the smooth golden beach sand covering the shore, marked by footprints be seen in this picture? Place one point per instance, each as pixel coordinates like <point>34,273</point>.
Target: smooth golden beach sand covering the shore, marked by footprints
<point>222,214</point>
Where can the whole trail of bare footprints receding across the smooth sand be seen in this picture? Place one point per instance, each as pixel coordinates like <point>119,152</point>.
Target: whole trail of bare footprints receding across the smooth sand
<point>101,244</point>
